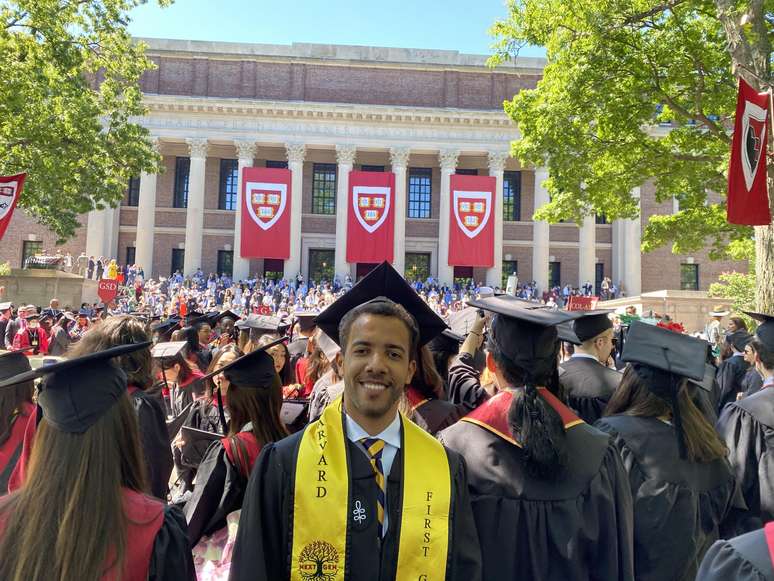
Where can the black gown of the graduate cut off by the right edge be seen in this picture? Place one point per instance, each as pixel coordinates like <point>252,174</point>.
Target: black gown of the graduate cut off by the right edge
<point>747,427</point>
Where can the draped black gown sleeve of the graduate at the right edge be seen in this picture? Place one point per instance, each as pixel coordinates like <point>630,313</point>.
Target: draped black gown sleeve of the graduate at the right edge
<point>745,441</point>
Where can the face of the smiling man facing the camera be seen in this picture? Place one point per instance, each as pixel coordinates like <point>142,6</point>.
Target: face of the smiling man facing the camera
<point>377,367</point>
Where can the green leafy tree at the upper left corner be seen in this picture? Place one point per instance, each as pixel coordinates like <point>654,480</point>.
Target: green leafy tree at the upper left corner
<point>69,93</point>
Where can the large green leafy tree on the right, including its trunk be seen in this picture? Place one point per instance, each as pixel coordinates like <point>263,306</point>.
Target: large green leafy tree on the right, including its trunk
<point>616,71</point>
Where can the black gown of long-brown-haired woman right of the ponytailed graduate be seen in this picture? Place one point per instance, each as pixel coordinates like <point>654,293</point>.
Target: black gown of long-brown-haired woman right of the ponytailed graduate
<point>678,504</point>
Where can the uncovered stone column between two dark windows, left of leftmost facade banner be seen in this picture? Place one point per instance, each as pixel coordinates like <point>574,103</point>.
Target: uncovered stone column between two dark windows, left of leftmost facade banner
<point>194,221</point>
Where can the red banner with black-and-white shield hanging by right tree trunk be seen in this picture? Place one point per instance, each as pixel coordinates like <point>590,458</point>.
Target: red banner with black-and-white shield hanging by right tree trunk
<point>748,198</point>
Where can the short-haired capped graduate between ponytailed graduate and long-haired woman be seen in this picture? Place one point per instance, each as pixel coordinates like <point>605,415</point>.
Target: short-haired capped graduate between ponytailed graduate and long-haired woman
<point>587,380</point>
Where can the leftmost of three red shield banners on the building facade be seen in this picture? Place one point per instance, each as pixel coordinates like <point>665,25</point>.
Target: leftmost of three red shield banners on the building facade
<point>265,213</point>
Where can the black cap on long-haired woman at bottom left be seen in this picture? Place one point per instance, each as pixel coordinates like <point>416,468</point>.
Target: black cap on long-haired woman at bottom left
<point>77,392</point>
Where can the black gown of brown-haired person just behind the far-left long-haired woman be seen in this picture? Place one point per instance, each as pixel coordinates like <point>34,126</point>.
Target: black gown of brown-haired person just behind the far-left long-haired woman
<point>154,439</point>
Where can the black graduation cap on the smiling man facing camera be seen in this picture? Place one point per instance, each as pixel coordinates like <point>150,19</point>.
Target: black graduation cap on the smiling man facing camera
<point>382,282</point>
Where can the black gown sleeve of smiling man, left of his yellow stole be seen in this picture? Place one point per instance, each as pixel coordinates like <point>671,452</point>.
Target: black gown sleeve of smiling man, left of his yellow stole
<point>261,549</point>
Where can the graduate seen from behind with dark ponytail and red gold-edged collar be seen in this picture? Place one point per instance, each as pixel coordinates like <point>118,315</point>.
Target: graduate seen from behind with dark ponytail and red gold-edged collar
<point>550,495</point>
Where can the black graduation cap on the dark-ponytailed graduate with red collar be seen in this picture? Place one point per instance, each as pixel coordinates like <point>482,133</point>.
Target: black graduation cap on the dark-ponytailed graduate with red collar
<point>526,332</point>
